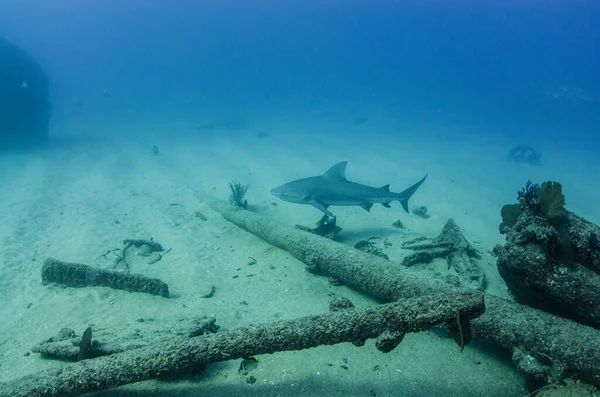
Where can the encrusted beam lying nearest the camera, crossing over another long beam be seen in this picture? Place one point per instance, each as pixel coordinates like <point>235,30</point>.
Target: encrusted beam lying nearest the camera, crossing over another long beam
<point>187,354</point>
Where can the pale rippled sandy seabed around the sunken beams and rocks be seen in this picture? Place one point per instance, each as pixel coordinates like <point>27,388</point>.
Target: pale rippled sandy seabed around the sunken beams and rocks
<point>78,199</point>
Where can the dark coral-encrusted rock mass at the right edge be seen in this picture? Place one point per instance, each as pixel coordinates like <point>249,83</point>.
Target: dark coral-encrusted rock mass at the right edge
<point>551,259</point>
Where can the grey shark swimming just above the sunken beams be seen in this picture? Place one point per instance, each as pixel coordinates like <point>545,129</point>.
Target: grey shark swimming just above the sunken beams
<point>332,188</point>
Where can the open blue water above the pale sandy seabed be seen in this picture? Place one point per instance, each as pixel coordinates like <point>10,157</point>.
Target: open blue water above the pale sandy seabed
<point>525,70</point>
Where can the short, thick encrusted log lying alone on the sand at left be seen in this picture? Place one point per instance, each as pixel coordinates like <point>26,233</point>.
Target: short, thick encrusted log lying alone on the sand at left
<point>77,275</point>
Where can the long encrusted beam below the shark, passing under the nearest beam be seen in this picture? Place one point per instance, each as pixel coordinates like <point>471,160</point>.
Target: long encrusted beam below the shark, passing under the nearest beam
<point>545,342</point>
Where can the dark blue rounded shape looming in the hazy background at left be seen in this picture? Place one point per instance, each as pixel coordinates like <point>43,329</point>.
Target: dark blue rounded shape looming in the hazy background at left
<point>24,104</point>
